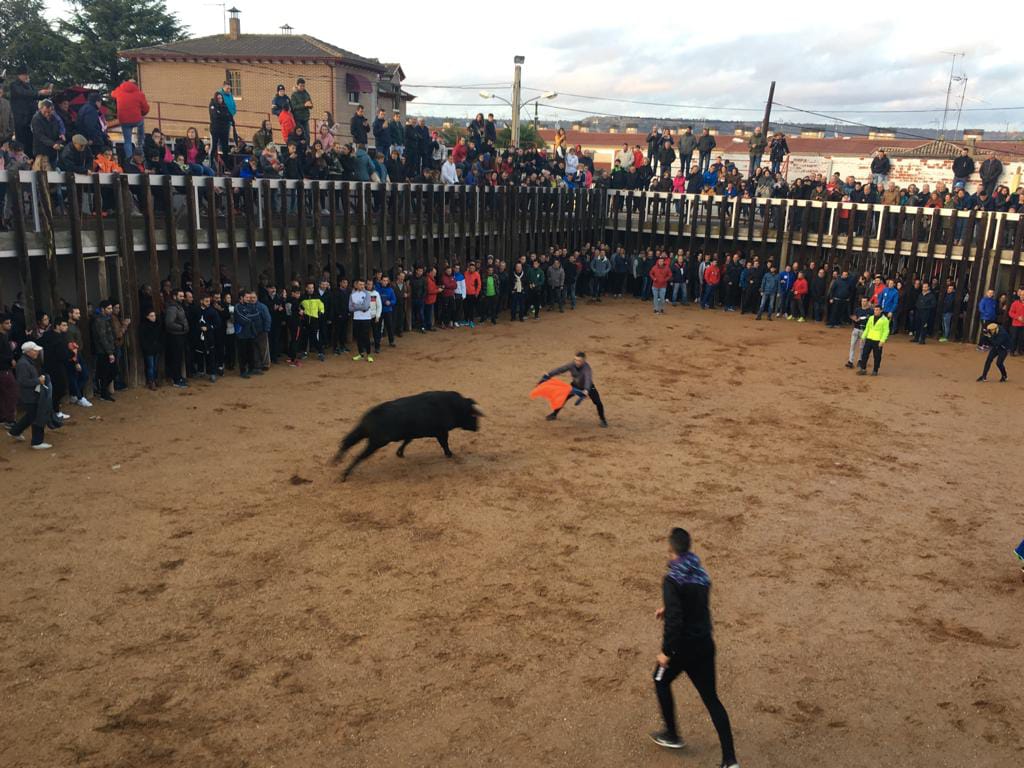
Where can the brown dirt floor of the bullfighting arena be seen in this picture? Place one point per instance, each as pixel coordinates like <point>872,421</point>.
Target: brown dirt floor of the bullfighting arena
<point>187,584</point>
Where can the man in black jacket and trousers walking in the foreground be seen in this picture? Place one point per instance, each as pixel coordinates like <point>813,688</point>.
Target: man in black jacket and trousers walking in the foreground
<point>688,646</point>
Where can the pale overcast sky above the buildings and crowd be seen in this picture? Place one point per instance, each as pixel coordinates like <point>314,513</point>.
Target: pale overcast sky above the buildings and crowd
<point>839,60</point>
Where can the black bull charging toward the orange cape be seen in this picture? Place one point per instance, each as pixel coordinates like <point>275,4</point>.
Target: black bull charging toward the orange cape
<point>424,415</point>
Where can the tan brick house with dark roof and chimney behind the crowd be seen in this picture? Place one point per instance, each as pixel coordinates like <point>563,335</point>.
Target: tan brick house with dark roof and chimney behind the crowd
<point>181,78</point>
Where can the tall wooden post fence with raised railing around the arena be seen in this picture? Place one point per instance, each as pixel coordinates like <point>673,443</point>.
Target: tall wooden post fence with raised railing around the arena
<point>66,248</point>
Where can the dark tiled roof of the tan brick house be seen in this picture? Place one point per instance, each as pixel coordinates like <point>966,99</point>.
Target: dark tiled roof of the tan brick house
<point>254,47</point>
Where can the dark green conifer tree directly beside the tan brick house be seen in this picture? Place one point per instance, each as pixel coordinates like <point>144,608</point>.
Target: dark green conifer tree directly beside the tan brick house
<point>99,29</point>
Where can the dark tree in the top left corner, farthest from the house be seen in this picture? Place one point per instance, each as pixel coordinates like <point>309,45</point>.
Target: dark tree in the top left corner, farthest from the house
<point>27,38</point>
